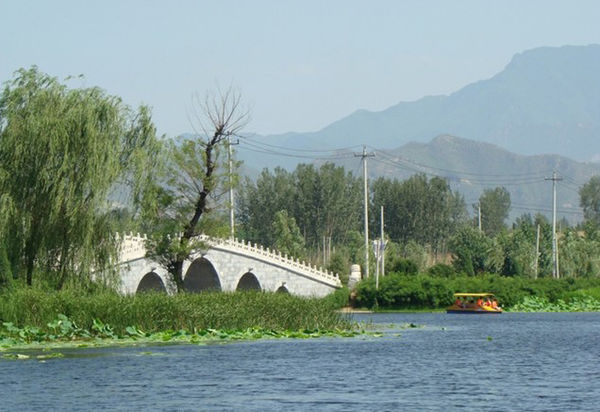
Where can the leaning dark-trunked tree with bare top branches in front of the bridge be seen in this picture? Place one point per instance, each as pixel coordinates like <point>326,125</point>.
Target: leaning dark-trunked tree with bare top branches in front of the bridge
<point>196,179</point>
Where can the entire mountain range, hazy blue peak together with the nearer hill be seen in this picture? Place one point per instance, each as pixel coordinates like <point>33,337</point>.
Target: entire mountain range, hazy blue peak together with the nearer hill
<point>538,115</point>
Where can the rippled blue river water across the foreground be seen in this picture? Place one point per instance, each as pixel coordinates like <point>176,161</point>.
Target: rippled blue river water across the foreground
<point>547,361</point>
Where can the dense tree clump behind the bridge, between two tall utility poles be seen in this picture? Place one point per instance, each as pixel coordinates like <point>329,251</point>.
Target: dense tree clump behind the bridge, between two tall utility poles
<point>324,202</point>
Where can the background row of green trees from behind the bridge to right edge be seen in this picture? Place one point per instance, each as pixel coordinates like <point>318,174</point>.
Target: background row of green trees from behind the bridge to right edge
<point>425,222</point>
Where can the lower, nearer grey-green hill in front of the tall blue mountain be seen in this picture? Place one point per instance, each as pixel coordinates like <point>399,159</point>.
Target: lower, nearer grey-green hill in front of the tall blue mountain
<point>472,166</point>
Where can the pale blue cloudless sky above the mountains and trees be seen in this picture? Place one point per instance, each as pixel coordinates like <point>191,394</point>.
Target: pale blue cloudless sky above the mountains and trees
<point>300,65</point>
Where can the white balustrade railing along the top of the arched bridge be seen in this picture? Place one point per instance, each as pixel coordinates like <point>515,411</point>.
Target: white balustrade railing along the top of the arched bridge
<point>134,247</point>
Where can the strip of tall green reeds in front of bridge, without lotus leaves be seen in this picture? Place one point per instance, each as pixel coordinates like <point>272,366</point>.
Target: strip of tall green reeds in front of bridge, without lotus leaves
<point>158,312</point>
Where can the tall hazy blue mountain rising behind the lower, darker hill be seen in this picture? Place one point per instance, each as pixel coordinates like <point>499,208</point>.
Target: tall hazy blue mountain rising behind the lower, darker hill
<point>546,100</point>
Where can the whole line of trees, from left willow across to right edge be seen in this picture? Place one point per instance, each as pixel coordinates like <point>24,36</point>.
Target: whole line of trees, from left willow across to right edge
<point>78,165</point>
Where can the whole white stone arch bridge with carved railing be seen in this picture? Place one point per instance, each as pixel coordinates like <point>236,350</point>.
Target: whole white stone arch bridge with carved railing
<point>226,265</point>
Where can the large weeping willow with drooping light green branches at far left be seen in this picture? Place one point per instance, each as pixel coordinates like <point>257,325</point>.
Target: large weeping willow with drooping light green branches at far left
<point>62,150</point>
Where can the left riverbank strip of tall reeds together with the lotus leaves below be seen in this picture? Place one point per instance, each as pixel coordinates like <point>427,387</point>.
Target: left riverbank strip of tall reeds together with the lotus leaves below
<point>35,319</point>
